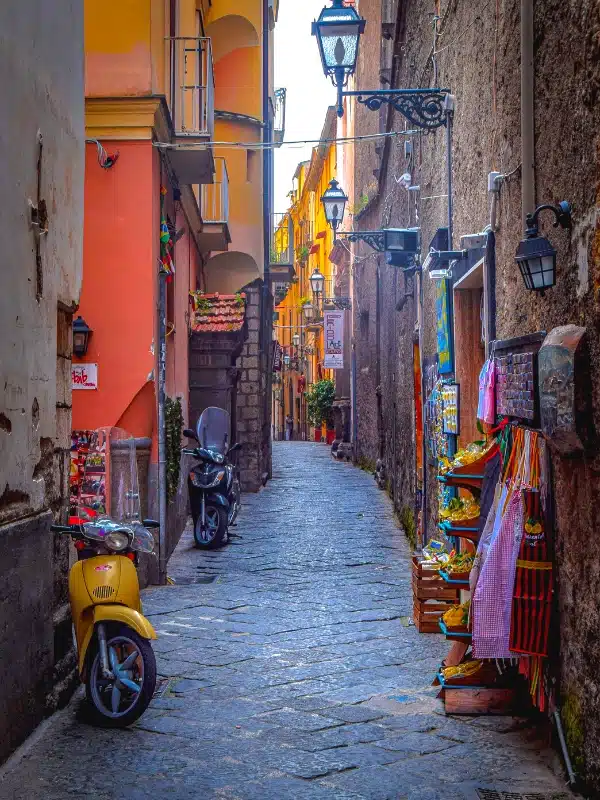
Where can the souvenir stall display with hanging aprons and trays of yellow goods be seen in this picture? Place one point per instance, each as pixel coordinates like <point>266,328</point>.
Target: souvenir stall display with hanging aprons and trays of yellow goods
<point>495,513</point>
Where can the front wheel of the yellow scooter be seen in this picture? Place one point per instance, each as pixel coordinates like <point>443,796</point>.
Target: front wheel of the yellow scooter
<point>117,703</point>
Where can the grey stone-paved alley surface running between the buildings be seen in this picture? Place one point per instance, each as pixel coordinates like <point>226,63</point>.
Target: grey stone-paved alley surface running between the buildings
<point>292,670</point>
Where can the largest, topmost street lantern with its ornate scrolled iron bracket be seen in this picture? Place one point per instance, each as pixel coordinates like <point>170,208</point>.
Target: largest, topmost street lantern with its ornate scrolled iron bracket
<point>338,31</point>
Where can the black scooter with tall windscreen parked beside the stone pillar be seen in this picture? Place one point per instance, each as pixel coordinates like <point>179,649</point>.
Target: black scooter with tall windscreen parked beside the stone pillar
<point>213,483</point>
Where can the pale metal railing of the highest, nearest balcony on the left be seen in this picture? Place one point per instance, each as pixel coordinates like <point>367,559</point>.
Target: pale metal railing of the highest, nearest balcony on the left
<point>192,86</point>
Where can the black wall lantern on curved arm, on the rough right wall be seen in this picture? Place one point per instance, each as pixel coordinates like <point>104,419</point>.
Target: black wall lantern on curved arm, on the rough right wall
<point>535,255</point>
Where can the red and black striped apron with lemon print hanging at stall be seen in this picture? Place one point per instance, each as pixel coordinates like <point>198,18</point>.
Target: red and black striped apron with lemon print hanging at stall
<point>532,597</point>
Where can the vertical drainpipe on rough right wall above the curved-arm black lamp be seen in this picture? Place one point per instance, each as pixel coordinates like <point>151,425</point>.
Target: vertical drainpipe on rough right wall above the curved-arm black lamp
<point>527,110</point>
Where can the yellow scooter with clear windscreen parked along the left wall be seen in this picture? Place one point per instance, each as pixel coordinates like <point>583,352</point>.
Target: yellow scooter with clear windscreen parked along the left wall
<point>116,660</point>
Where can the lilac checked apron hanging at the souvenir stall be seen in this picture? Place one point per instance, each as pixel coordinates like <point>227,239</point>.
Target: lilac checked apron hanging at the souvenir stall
<point>492,602</point>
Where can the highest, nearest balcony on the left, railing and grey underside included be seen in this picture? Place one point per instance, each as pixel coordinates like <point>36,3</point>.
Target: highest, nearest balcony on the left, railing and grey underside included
<point>192,108</point>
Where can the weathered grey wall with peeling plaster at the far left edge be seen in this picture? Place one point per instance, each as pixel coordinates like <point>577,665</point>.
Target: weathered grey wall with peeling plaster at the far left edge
<point>42,134</point>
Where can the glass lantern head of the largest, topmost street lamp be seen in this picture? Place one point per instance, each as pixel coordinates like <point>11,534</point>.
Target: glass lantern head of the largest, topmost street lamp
<point>338,32</point>
